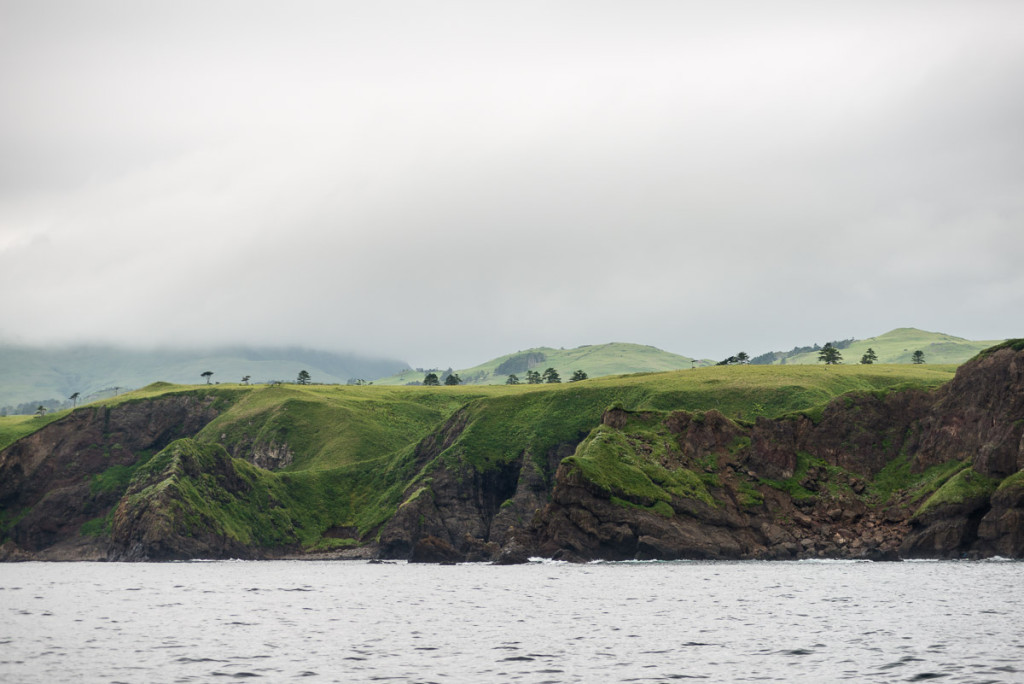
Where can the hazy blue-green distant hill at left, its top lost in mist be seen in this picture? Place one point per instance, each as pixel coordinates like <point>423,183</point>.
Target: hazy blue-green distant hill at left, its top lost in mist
<point>50,375</point>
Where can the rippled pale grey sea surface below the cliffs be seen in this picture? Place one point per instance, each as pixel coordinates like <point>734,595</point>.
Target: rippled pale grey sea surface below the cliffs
<point>360,622</point>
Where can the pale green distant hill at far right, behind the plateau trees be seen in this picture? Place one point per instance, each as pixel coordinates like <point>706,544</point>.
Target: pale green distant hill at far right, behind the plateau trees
<point>897,347</point>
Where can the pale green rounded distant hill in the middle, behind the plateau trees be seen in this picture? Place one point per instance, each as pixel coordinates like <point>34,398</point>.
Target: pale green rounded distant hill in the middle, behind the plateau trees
<point>595,361</point>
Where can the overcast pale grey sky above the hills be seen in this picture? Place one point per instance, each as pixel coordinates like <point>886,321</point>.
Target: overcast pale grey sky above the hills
<point>449,182</point>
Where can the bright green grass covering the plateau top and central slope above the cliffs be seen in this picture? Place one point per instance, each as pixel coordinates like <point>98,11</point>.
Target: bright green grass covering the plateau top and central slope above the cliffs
<point>357,454</point>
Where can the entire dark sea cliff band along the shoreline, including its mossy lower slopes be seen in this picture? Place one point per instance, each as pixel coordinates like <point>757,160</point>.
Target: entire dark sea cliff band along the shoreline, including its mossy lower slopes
<point>880,476</point>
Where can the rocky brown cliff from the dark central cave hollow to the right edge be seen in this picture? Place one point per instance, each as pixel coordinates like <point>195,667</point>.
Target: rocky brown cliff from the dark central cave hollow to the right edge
<point>880,476</point>
